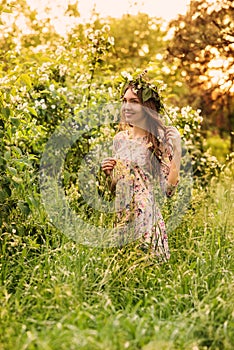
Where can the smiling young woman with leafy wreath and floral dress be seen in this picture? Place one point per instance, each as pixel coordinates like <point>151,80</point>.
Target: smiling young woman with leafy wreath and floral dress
<point>145,153</point>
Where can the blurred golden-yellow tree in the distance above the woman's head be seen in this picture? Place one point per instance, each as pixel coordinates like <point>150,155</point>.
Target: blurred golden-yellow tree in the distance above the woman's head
<point>138,39</point>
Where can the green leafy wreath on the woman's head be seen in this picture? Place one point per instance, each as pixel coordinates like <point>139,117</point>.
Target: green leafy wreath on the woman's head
<point>138,82</point>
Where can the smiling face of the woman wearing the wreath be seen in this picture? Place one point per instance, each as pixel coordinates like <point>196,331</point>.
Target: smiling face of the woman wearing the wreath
<point>132,109</point>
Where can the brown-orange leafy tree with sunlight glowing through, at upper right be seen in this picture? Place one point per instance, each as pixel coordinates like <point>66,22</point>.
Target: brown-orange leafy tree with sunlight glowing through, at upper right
<point>203,48</point>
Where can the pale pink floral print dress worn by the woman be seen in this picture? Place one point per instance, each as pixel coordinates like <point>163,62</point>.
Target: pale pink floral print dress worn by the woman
<point>136,205</point>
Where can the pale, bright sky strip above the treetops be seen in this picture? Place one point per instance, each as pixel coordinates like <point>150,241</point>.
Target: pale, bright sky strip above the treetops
<point>166,9</point>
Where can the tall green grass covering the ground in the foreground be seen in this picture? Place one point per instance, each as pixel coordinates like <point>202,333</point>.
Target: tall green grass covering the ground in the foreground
<point>59,295</point>
